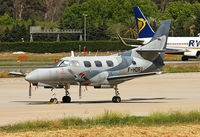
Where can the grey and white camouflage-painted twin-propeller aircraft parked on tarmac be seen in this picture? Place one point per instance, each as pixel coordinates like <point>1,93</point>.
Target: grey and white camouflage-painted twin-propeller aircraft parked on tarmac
<point>103,71</point>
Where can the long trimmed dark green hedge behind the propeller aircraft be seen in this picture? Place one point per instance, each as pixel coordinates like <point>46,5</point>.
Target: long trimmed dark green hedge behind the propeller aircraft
<point>67,46</point>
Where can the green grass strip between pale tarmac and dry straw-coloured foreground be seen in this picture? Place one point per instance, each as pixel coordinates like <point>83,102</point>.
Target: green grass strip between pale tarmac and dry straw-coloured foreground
<point>108,119</point>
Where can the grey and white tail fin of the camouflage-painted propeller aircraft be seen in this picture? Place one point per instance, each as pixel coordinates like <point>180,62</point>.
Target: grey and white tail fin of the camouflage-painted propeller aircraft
<point>155,49</point>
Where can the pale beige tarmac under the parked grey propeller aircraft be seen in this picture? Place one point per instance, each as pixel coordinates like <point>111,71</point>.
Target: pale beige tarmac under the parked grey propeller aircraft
<point>141,96</point>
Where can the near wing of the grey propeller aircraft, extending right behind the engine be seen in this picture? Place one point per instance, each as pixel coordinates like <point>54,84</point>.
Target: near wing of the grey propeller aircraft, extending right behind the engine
<point>121,78</point>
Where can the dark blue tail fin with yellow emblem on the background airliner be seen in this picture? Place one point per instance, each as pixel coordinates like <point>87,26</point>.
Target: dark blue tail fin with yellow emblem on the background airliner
<point>143,27</point>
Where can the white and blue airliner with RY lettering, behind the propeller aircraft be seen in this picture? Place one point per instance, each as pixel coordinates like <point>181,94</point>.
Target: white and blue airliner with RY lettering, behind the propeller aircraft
<point>189,47</point>
